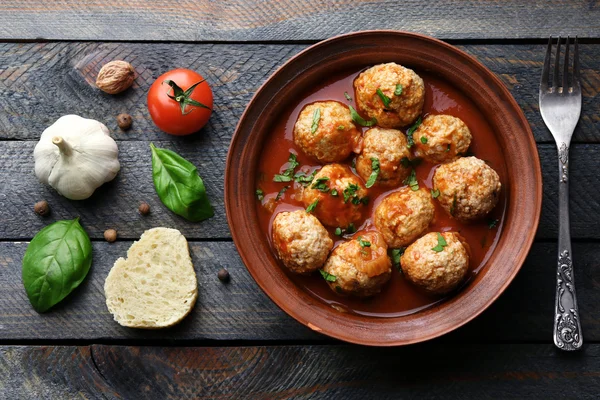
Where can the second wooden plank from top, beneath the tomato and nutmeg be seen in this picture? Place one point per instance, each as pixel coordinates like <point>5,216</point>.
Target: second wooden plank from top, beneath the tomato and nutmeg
<point>39,82</point>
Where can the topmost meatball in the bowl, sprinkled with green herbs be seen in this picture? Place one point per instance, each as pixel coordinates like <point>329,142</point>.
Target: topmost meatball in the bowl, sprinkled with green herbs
<point>402,86</point>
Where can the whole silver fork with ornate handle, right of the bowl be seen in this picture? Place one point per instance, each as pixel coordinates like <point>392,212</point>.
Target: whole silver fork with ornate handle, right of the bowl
<point>560,106</point>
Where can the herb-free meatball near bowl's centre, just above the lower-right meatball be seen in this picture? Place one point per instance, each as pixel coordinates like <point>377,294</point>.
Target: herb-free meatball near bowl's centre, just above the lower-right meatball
<point>403,216</point>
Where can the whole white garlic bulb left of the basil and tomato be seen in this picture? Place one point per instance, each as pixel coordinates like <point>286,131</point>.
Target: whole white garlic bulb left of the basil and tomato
<point>75,156</point>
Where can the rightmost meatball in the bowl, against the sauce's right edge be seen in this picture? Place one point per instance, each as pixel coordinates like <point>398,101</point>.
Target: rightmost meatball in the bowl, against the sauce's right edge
<point>469,188</point>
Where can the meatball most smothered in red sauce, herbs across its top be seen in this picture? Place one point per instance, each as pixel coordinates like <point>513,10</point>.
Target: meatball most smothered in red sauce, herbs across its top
<point>337,196</point>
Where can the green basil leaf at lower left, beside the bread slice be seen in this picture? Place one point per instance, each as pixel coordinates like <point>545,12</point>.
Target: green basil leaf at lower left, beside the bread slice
<point>56,261</point>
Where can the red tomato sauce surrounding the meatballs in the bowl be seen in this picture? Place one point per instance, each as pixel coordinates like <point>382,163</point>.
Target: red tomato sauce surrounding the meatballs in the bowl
<point>398,297</point>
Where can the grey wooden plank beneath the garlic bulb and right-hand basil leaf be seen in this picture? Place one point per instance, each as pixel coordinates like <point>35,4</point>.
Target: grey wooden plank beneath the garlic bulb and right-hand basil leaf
<point>115,205</point>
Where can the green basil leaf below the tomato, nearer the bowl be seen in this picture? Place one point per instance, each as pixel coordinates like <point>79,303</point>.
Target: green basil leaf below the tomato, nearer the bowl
<point>178,185</point>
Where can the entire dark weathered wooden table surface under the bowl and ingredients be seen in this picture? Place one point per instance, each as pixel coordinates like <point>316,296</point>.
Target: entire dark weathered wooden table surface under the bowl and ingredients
<point>236,343</point>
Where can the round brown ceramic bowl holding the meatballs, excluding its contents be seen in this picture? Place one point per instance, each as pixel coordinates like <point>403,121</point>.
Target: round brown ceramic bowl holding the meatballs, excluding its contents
<point>523,186</point>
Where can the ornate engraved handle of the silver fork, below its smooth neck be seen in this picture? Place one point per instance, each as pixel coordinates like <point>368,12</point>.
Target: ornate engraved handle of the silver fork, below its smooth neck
<point>567,328</point>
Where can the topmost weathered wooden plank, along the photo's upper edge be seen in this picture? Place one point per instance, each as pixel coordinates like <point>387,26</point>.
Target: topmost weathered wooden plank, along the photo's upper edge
<point>203,20</point>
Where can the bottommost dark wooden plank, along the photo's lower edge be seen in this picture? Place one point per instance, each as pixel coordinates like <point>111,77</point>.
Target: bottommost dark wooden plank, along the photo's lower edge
<point>293,372</point>
